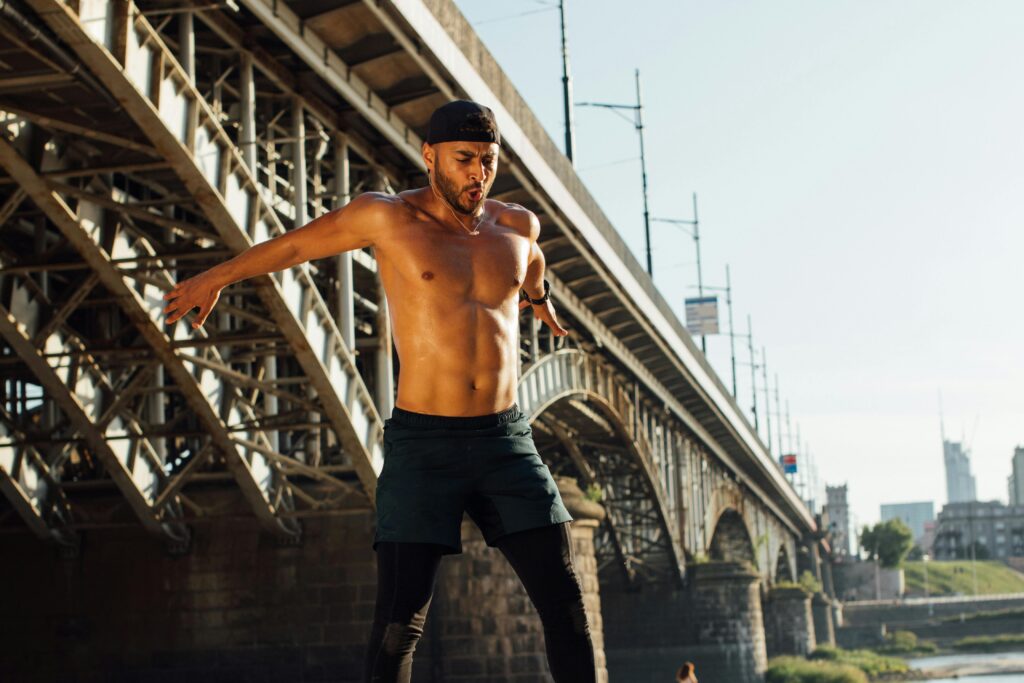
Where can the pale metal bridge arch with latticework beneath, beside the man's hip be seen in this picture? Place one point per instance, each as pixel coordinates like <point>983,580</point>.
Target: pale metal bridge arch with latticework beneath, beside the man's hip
<point>585,426</point>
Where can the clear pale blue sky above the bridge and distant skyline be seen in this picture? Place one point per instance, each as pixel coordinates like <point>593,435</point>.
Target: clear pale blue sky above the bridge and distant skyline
<point>861,166</point>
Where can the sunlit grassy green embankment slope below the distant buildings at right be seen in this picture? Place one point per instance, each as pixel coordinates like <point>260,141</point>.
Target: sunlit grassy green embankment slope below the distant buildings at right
<point>956,577</point>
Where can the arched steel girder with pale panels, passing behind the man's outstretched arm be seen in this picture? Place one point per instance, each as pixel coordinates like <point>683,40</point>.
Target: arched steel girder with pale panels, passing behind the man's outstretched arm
<point>161,98</point>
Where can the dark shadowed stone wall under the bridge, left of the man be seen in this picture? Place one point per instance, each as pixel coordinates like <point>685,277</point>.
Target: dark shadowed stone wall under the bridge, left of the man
<point>239,607</point>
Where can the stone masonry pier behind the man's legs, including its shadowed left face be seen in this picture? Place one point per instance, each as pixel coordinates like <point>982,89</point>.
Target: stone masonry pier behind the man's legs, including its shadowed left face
<point>240,607</point>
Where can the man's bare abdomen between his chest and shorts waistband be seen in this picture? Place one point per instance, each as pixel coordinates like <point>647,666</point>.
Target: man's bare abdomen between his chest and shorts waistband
<point>457,359</point>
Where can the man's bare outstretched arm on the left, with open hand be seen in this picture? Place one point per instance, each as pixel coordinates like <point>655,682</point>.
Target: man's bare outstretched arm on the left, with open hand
<point>334,233</point>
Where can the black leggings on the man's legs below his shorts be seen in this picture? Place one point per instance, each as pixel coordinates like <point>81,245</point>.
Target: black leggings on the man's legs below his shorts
<point>542,559</point>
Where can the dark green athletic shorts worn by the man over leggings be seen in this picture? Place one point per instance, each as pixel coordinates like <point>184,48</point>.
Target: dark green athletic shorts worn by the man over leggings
<point>437,468</point>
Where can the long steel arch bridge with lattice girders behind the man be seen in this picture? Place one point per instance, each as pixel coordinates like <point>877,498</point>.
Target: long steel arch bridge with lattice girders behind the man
<point>146,141</point>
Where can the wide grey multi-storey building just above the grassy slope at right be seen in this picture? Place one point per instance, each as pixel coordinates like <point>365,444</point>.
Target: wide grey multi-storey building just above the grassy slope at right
<point>992,529</point>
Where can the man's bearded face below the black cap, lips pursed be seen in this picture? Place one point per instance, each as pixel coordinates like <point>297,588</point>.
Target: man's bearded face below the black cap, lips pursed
<point>463,173</point>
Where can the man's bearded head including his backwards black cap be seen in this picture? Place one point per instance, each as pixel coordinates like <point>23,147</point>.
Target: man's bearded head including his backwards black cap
<point>461,153</point>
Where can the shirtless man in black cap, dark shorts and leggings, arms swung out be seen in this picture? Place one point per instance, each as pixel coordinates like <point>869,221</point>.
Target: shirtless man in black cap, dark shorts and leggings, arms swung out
<point>453,265</point>
